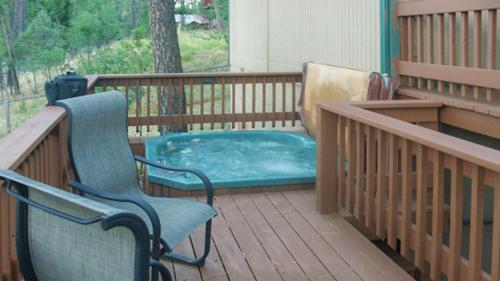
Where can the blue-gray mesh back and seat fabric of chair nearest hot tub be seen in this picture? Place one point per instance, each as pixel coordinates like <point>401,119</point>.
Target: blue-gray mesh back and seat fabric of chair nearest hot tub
<point>102,158</point>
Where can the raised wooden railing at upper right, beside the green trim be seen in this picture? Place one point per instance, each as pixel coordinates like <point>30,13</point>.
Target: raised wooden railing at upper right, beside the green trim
<point>449,48</point>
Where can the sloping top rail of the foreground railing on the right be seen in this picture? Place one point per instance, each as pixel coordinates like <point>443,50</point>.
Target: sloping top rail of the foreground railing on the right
<point>465,150</point>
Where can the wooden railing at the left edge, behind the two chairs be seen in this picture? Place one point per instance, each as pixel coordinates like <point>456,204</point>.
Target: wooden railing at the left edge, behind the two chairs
<point>35,149</point>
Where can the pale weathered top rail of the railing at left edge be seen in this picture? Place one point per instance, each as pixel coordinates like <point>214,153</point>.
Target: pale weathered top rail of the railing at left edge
<point>16,146</point>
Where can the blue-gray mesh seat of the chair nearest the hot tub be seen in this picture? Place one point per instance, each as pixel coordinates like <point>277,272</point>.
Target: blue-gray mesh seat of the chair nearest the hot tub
<point>178,217</point>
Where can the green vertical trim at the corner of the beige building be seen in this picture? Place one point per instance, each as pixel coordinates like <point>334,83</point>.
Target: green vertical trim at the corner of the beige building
<point>389,36</point>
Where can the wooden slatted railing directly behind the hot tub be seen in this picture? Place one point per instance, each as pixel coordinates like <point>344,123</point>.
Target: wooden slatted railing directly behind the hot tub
<point>204,101</point>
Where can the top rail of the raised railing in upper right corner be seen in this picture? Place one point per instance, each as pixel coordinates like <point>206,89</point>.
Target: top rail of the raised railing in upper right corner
<point>427,7</point>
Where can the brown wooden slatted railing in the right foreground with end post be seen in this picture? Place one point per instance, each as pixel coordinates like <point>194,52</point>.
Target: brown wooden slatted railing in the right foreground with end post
<point>405,183</point>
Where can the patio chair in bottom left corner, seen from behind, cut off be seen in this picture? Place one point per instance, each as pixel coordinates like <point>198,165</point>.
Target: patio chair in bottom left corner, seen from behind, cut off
<point>63,236</point>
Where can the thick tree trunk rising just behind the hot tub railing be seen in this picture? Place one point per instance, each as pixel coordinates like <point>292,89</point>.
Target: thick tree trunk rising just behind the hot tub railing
<point>166,55</point>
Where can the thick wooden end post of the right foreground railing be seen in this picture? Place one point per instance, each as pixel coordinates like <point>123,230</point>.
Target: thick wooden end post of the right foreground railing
<point>326,183</point>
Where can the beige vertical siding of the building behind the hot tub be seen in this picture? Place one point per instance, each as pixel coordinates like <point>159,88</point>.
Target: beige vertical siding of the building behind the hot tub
<point>274,35</point>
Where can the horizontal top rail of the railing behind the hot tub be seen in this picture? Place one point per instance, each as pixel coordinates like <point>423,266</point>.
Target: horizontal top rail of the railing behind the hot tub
<point>195,75</point>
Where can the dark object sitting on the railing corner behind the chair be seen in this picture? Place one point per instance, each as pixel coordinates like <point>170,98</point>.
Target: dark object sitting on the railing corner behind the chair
<point>65,86</point>
